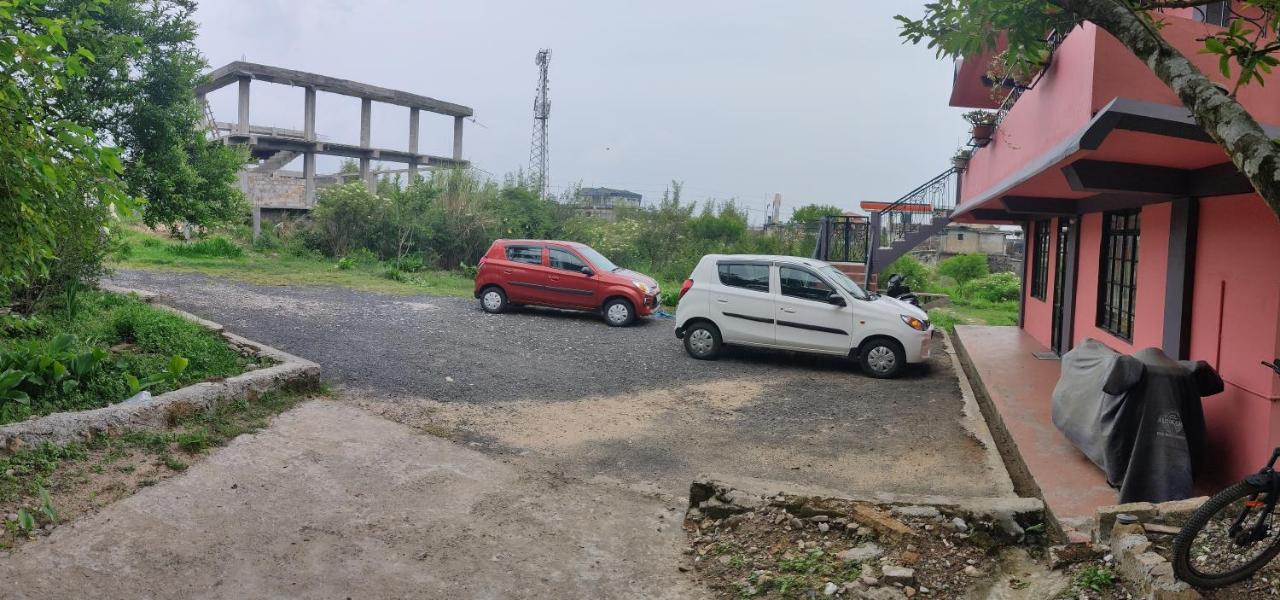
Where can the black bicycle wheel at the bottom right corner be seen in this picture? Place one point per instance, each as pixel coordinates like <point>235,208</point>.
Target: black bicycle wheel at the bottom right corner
<point>1215,548</point>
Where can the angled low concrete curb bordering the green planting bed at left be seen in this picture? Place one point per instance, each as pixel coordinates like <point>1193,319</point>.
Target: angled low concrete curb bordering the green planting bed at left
<point>162,411</point>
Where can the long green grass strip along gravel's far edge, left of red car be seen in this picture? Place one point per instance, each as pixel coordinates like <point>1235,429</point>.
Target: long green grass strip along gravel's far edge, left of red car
<point>150,251</point>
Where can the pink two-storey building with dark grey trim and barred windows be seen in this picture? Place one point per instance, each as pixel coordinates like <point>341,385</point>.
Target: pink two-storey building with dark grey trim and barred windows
<point>1140,231</point>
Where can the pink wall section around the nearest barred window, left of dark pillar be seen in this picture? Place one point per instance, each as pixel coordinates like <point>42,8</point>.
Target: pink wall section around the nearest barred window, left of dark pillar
<point>1149,327</point>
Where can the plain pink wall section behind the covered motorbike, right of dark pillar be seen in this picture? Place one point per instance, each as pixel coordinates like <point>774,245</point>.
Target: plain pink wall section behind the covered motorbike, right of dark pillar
<point>1236,326</point>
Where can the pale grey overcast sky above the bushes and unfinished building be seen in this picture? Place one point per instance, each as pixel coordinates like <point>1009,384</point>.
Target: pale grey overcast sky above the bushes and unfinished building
<point>819,102</point>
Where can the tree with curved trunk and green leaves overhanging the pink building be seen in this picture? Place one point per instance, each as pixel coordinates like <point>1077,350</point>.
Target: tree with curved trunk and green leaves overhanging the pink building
<point>970,28</point>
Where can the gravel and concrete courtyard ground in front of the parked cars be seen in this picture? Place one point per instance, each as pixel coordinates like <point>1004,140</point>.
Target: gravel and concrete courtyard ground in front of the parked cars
<point>532,455</point>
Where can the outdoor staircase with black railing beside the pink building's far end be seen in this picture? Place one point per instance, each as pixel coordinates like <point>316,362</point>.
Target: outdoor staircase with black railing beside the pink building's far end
<point>902,226</point>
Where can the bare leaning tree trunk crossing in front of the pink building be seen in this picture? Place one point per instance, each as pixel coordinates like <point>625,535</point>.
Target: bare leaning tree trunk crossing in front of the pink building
<point>1219,114</point>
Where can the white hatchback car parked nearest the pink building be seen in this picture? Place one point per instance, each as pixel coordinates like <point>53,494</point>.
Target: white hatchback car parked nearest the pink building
<point>798,305</point>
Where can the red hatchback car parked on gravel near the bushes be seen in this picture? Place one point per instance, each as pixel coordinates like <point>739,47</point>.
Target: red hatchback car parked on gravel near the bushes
<point>563,276</point>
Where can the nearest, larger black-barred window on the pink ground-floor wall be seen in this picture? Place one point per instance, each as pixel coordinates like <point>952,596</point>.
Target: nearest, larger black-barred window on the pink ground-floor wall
<point>1118,273</point>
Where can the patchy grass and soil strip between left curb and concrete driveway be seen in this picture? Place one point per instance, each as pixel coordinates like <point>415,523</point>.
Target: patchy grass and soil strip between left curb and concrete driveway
<point>54,482</point>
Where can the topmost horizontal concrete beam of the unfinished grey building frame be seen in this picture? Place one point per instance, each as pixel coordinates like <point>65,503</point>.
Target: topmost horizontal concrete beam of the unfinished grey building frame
<point>231,72</point>
